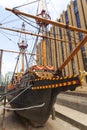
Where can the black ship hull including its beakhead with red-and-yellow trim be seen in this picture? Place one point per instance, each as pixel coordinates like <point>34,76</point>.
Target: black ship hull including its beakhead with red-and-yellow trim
<point>35,90</point>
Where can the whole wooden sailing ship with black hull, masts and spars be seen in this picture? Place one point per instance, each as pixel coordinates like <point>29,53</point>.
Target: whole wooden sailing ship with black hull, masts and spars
<point>32,92</point>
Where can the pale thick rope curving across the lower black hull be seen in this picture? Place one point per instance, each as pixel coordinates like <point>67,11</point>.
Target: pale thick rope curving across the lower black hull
<point>20,109</point>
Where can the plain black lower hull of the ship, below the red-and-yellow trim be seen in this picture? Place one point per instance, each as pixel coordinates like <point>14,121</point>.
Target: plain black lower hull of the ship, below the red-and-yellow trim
<point>37,116</point>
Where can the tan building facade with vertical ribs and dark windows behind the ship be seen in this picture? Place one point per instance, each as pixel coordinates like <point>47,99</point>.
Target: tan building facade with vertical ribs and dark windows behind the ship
<point>58,51</point>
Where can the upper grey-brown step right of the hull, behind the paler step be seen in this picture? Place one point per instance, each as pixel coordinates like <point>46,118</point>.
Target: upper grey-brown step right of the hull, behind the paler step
<point>77,102</point>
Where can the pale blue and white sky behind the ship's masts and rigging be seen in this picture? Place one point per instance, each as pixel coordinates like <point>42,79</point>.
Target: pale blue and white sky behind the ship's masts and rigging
<point>9,40</point>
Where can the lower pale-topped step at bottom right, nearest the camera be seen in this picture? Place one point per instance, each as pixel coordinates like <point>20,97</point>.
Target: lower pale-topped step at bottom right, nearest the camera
<point>76,118</point>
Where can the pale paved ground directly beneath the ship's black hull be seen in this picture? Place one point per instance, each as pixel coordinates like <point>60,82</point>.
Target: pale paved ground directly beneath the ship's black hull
<point>13,123</point>
